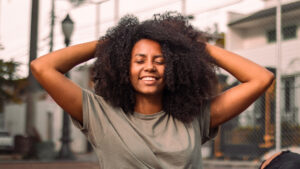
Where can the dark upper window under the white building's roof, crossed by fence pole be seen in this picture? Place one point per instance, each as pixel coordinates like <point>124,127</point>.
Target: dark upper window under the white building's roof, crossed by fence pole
<point>288,32</point>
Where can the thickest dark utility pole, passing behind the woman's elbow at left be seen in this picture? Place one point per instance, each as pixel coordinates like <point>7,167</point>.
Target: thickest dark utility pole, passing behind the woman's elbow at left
<point>32,84</point>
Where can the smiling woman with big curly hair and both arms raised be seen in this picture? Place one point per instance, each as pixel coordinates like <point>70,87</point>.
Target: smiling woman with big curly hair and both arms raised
<point>155,84</point>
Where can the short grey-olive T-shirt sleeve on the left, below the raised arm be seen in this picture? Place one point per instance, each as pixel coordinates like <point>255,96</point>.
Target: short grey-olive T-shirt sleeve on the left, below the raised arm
<point>93,116</point>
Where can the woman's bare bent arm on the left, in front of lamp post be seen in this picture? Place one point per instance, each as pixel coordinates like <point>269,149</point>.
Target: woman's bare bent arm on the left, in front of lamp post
<point>49,71</point>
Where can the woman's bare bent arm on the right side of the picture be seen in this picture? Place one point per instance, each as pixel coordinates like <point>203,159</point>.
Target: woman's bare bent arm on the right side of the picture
<point>254,81</point>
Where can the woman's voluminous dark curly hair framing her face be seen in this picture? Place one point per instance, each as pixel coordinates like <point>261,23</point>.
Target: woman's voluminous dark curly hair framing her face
<point>190,76</point>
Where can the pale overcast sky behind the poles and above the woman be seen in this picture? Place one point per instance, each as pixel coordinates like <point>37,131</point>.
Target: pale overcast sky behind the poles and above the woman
<point>15,20</point>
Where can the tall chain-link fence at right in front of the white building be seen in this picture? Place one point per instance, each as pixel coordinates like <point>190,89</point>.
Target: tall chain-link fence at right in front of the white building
<point>253,133</point>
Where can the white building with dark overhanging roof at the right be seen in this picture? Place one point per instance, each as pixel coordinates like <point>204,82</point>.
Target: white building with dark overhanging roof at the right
<point>254,37</point>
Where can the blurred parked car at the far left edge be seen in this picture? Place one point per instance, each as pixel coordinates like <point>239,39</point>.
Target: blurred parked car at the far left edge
<point>6,142</point>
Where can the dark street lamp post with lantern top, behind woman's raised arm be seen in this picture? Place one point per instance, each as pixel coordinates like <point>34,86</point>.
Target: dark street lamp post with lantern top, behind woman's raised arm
<point>65,151</point>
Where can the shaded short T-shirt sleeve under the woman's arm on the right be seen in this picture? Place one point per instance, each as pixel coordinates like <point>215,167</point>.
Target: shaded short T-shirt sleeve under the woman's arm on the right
<point>207,133</point>
